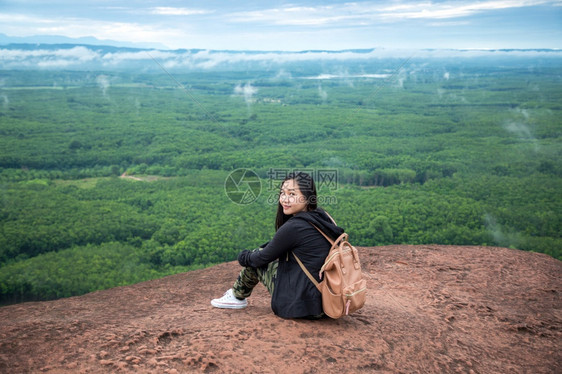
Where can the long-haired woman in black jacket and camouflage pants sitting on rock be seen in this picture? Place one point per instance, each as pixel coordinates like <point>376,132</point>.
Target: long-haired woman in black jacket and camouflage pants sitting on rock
<point>293,294</point>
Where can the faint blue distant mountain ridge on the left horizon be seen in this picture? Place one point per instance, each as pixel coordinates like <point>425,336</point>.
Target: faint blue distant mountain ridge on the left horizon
<point>88,40</point>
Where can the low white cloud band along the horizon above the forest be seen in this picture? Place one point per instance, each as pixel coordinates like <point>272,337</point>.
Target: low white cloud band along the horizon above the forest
<point>88,56</point>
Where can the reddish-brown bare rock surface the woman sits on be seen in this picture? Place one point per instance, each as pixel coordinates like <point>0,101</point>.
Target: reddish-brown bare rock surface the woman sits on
<point>430,309</point>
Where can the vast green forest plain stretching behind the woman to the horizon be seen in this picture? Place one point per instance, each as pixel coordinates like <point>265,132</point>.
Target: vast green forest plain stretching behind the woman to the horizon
<point>110,178</point>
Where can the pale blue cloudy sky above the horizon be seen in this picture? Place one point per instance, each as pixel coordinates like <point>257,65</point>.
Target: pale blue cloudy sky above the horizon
<point>294,25</point>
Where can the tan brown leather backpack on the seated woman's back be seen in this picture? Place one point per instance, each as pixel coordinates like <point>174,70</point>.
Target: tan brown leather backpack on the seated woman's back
<point>343,288</point>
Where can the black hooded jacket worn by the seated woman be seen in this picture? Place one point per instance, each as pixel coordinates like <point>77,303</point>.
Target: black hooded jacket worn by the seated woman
<point>294,295</point>
